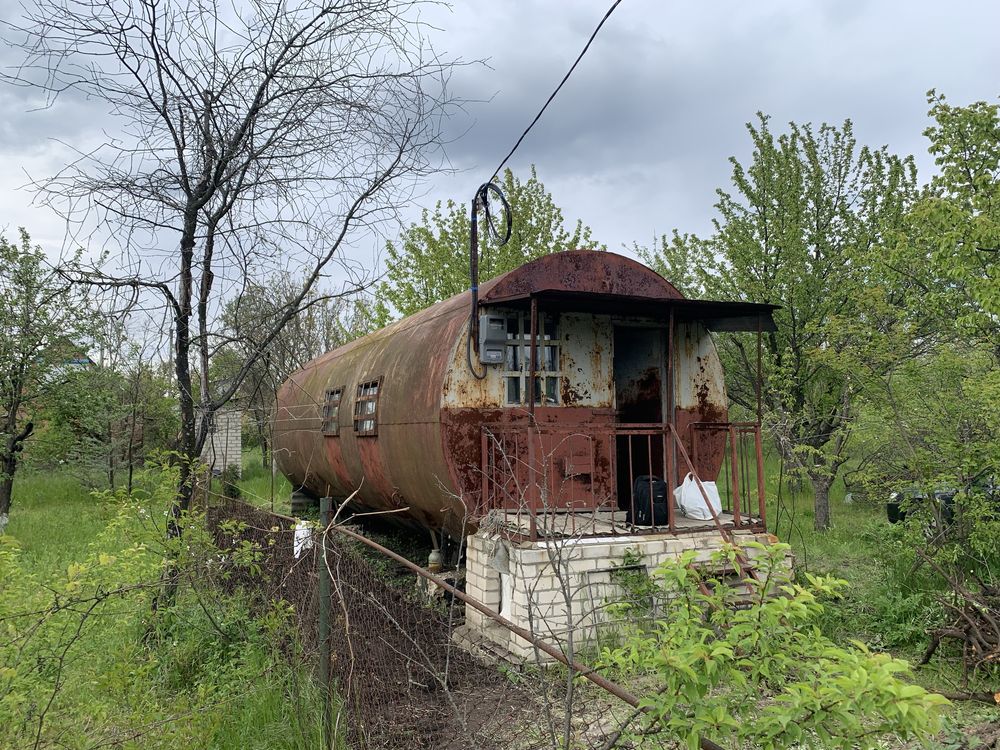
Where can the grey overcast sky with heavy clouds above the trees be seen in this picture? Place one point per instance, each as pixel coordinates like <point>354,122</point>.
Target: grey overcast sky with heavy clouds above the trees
<point>638,140</point>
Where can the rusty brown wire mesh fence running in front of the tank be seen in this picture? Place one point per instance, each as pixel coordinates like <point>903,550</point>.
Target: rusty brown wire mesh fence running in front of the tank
<point>398,678</point>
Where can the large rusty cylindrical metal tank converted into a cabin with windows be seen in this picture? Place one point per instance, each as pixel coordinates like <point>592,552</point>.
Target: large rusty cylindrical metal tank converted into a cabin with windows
<point>399,418</point>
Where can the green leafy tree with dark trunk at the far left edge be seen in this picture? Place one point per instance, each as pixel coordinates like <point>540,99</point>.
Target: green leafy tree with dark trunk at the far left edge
<point>43,321</point>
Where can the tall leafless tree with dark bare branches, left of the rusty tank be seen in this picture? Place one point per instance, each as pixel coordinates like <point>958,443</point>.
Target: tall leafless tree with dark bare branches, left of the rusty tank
<point>254,136</point>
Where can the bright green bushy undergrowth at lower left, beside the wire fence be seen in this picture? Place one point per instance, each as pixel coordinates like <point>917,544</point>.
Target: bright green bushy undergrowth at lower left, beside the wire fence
<point>86,661</point>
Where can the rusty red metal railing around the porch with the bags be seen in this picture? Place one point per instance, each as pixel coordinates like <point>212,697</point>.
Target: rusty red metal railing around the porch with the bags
<point>533,471</point>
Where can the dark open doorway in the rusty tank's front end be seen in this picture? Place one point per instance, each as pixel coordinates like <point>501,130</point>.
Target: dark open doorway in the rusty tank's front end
<point>639,372</point>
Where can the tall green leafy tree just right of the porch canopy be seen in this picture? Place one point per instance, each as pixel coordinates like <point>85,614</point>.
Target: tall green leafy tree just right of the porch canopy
<point>803,229</point>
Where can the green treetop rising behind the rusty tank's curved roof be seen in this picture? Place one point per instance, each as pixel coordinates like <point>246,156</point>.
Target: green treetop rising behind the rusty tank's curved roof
<point>430,262</point>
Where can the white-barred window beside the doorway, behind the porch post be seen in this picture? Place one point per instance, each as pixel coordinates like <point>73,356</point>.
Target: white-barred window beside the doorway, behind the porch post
<point>517,365</point>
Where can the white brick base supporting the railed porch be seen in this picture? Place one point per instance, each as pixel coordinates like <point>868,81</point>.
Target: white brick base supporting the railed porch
<point>584,567</point>
